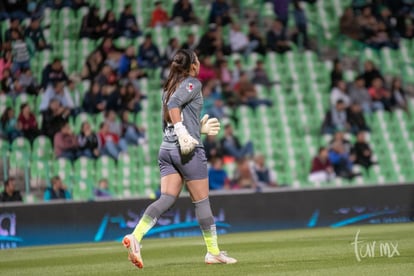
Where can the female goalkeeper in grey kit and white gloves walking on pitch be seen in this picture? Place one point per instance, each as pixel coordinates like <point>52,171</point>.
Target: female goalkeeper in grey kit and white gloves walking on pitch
<point>182,158</point>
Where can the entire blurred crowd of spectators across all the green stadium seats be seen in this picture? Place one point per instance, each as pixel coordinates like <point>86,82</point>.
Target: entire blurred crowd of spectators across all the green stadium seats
<point>114,74</point>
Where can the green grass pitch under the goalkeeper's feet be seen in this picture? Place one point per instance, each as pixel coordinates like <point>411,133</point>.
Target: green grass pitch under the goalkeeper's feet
<point>320,251</point>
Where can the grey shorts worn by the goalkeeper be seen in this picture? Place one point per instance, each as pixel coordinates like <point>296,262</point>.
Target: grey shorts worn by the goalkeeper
<point>191,167</point>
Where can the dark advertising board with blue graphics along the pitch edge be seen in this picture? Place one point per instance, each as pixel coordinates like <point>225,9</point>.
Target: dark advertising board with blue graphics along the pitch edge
<point>71,222</point>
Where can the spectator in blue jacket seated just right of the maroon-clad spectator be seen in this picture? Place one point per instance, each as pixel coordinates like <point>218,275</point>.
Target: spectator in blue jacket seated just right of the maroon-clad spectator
<point>341,161</point>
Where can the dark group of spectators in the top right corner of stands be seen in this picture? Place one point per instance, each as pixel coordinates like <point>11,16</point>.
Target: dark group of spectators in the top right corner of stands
<point>378,23</point>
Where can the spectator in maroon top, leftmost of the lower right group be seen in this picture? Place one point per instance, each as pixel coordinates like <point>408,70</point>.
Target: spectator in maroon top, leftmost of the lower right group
<point>321,170</point>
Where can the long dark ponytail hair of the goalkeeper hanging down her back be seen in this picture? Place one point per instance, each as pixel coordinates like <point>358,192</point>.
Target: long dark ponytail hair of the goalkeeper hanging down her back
<point>179,70</point>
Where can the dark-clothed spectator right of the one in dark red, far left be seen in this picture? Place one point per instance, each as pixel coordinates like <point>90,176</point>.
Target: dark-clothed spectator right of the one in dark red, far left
<point>53,118</point>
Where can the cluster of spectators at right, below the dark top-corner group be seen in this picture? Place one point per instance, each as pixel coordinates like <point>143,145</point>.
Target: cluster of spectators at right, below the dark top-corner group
<point>350,104</point>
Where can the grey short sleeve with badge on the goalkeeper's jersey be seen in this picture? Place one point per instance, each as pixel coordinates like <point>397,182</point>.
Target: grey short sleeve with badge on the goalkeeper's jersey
<point>185,92</point>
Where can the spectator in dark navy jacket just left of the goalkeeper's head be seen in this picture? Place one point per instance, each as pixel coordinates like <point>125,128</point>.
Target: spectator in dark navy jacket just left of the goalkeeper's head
<point>148,53</point>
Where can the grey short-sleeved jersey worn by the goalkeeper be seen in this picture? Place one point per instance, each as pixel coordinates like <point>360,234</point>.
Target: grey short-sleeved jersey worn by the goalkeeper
<point>189,100</point>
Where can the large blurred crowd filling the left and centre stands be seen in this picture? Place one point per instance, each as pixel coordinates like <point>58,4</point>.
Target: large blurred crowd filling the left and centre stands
<point>114,75</point>
